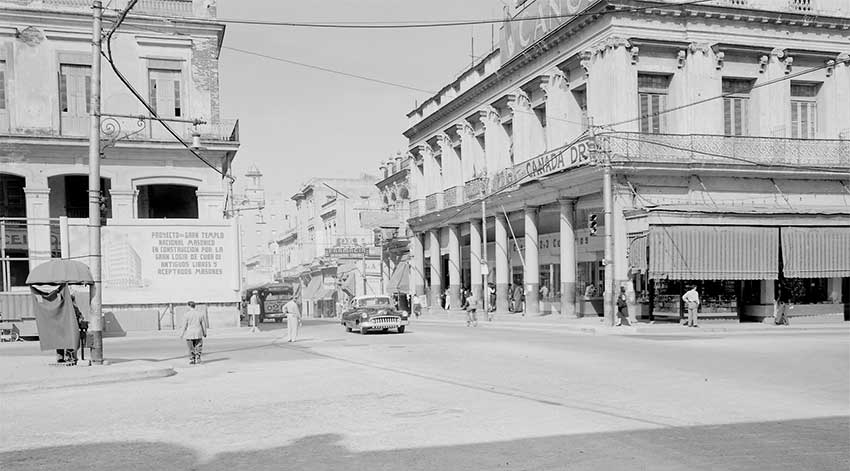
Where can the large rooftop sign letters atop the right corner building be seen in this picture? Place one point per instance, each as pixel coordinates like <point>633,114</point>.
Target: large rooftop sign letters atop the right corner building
<point>548,15</point>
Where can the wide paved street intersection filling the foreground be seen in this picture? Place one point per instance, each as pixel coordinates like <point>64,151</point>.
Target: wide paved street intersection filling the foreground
<point>449,397</point>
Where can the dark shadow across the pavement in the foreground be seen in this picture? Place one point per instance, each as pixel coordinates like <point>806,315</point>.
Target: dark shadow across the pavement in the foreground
<point>788,445</point>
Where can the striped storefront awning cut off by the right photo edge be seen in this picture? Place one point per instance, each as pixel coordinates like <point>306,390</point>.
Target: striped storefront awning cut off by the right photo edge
<point>815,252</point>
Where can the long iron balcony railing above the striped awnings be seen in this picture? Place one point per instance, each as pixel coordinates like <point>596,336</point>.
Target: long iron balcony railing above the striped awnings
<point>730,150</point>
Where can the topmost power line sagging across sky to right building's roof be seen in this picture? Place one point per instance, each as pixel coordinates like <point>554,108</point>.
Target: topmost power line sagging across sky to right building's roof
<point>414,24</point>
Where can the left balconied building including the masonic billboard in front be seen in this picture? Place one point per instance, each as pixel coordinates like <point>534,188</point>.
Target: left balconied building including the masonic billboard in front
<point>164,208</point>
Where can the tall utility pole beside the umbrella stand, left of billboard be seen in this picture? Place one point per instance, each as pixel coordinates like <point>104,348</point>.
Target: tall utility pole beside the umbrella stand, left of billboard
<point>96,315</point>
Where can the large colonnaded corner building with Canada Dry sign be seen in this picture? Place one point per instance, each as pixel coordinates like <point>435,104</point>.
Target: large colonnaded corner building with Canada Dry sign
<point>724,128</point>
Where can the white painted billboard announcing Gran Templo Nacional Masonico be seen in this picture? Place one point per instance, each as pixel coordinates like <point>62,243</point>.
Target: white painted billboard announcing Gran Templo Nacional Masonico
<point>156,263</point>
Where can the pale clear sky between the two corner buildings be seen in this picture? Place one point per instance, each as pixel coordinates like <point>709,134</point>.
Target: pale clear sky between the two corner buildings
<point>297,123</point>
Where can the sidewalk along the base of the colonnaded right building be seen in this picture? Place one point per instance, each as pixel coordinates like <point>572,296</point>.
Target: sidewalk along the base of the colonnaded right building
<point>595,326</point>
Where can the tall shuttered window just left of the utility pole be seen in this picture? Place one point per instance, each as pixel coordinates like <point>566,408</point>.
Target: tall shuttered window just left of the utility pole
<point>74,99</point>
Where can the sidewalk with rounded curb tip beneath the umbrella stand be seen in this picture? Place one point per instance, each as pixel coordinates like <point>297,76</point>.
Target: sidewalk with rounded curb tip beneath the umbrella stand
<point>35,373</point>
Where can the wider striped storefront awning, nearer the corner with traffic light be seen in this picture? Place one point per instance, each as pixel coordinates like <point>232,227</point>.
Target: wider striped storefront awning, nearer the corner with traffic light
<point>713,252</point>
